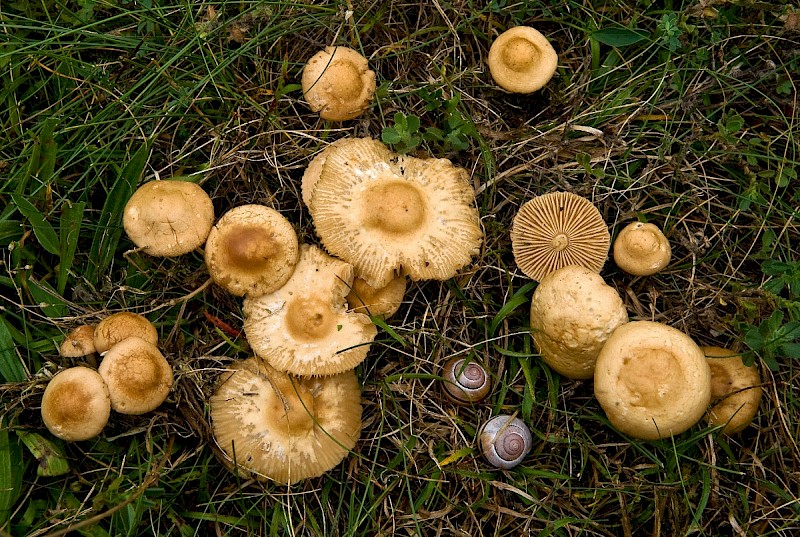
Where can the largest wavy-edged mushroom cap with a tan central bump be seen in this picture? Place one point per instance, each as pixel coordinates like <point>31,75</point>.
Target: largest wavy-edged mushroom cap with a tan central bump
<point>389,214</point>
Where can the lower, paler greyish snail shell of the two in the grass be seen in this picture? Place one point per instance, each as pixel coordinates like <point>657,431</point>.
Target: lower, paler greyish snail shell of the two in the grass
<point>505,441</point>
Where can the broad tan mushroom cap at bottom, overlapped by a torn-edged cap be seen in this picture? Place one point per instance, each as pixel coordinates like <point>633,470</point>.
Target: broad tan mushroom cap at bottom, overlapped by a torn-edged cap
<point>284,428</point>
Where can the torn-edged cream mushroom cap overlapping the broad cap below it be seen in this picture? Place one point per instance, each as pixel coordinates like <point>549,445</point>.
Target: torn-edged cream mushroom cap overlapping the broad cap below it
<point>304,327</point>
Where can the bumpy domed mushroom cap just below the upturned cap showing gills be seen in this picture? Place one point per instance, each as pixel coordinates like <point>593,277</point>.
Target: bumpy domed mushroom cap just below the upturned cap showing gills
<point>573,313</point>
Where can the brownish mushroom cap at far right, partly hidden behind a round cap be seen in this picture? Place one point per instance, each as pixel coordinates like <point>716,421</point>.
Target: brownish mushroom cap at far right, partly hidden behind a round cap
<point>736,386</point>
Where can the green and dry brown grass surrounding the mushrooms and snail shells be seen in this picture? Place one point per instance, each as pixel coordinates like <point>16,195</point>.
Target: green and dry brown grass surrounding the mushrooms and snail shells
<point>684,114</point>
